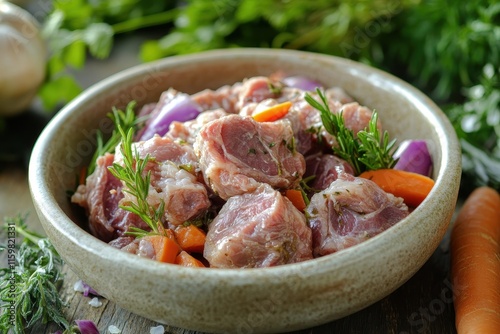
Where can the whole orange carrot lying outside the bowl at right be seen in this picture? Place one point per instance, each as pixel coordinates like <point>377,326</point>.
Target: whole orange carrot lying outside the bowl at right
<point>475,263</point>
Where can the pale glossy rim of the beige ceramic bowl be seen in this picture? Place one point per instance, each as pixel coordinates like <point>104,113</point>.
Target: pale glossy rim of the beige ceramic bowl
<point>48,207</point>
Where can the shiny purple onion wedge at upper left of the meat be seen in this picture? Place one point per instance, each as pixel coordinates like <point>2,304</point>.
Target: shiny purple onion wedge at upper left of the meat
<point>181,108</point>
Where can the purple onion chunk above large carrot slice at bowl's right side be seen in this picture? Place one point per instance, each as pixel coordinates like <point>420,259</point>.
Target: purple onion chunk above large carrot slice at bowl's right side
<point>414,157</point>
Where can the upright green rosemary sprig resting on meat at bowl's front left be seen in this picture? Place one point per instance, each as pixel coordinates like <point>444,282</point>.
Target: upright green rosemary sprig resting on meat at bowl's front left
<point>137,184</point>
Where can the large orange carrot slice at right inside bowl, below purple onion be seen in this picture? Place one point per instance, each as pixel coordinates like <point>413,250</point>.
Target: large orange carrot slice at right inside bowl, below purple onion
<point>412,187</point>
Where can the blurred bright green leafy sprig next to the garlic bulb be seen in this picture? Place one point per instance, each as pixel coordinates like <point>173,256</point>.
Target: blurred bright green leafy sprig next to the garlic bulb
<point>76,29</point>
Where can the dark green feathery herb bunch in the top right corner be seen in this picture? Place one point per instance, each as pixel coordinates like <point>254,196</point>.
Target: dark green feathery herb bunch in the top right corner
<point>429,40</point>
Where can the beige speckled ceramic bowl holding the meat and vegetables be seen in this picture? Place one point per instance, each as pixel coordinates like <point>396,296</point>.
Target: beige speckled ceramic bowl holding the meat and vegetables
<point>275,299</point>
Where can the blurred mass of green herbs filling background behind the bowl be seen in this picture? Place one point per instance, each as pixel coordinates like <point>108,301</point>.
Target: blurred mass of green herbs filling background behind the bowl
<point>448,49</point>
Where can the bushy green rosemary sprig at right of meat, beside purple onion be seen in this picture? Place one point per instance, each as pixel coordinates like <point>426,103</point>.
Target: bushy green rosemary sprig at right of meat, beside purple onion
<point>366,150</point>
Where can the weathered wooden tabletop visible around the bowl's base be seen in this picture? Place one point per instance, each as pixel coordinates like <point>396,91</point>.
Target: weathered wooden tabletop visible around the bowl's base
<point>422,305</point>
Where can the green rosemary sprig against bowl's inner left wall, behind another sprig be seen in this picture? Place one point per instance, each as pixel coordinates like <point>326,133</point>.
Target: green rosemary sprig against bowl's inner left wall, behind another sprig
<point>122,119</point>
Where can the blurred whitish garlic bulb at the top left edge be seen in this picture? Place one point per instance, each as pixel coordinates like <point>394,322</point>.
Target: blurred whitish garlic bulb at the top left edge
<point>22,59</point>
